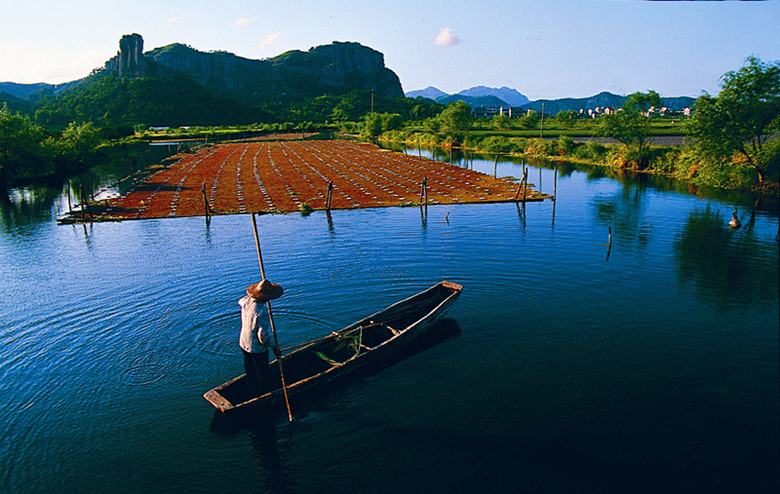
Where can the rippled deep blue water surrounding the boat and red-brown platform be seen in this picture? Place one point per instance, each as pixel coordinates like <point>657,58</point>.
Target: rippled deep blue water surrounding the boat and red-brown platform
<point>648,366</point>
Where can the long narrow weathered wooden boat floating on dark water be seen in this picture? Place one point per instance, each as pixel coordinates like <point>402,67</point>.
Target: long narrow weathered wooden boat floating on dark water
<point>343,352</point>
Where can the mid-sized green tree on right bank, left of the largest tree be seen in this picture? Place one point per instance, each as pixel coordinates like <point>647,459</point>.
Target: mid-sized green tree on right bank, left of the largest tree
<point>630,125</point>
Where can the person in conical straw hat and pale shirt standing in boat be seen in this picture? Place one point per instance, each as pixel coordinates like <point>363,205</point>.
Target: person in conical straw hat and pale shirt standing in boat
<point>255,339</point>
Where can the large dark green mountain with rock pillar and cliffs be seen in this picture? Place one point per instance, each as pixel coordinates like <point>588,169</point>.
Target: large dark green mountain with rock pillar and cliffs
<point>178,85</point>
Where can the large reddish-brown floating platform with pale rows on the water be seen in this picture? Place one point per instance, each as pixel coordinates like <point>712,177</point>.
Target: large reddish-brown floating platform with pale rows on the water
<point>281,177</point>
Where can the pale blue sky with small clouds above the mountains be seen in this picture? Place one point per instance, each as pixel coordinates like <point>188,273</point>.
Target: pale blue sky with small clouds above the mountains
<point>542,48</point>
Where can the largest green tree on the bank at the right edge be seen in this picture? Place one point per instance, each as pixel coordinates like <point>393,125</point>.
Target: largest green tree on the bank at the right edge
<point>743,118</point>
